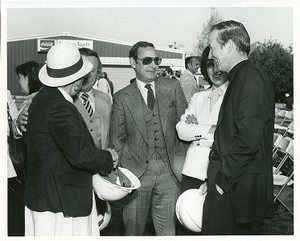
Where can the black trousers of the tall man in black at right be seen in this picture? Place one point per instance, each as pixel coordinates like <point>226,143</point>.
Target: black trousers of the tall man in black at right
<point>218,215</point>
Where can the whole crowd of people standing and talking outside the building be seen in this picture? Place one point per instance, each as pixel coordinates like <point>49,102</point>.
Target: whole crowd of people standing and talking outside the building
<point>172,134</point>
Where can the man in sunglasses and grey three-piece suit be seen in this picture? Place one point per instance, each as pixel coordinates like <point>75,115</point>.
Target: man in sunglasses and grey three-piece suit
<point>143,133</point>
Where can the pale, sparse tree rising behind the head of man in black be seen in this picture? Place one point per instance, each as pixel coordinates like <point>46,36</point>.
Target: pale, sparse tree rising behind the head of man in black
<point>215,17</point>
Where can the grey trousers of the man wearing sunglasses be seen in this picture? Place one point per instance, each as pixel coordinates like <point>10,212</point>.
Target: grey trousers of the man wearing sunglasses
<point>158,194</point>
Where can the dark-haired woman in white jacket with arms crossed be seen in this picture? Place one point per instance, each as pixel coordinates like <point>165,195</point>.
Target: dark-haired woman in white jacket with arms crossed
<point>198,123</point>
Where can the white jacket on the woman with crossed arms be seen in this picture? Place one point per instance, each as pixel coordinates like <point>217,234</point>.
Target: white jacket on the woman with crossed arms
<point>196,161</point>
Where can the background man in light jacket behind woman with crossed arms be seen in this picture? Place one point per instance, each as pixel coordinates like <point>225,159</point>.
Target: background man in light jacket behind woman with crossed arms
<point>188,80</point>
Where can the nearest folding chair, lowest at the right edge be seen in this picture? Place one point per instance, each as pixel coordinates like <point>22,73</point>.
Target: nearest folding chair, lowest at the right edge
<point>288,177</point>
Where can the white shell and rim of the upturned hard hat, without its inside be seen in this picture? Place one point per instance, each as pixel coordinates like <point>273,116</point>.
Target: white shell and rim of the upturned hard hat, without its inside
<point>109,191</point>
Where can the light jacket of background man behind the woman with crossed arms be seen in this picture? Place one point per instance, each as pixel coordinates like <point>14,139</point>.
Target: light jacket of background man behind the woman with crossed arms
<point>188,84</point>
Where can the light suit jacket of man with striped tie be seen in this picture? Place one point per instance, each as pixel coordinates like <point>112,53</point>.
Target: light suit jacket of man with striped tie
<point>98,124</point>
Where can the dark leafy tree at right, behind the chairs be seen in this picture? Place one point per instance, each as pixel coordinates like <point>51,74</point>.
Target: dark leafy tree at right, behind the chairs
<point>278,63</point>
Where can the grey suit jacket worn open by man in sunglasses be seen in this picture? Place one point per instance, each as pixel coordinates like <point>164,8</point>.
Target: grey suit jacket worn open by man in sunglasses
<point>128,130</point>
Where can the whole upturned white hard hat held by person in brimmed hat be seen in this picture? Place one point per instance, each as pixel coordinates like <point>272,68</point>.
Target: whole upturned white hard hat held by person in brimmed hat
<point>115,186</point>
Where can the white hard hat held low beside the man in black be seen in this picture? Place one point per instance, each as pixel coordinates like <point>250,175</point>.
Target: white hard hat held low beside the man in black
<point>189,209</point>
